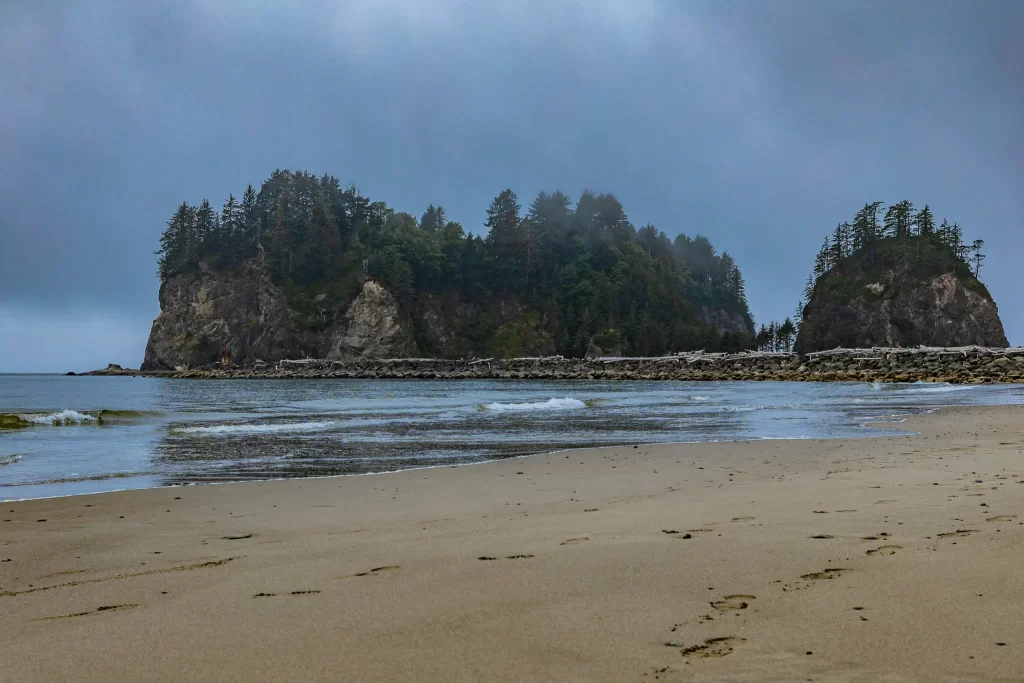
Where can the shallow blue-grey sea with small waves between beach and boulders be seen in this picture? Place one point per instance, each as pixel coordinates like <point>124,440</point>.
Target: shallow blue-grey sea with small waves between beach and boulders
<point>91,435</point>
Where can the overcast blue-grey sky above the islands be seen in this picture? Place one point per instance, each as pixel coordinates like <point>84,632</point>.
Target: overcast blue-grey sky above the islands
<point>758,123</point>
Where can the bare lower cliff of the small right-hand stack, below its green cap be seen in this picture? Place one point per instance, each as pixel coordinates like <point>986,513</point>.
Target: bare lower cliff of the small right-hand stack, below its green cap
<point>900,311</point>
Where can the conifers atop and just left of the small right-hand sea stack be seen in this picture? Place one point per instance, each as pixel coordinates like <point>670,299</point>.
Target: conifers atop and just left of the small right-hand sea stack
<point>903,239</point>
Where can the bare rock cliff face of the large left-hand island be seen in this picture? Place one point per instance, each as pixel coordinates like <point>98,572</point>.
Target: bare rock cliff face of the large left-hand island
<point>243,310</point>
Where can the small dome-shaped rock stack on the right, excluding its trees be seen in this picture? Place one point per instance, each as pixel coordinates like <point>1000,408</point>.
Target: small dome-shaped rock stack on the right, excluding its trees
<point>909,292</point>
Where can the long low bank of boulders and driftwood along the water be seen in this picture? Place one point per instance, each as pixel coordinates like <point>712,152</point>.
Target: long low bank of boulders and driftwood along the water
<point>970,365</point>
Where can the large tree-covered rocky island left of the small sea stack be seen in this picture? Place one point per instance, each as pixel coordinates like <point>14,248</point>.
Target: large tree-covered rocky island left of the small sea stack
<point>304,269</point>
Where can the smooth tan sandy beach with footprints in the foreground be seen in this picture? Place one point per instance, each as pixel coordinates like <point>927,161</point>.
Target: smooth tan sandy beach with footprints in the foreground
<point>882,560</point>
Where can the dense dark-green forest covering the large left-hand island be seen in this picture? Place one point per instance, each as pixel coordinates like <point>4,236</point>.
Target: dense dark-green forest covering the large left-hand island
<point>580,270</point>
